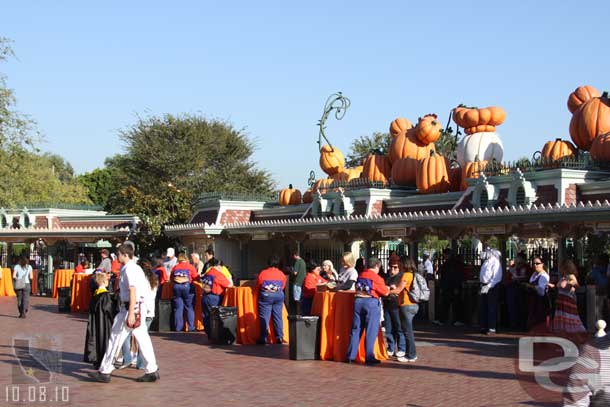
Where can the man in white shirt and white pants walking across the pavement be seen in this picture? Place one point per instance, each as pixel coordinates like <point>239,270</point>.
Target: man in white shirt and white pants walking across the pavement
<point>133,289</point>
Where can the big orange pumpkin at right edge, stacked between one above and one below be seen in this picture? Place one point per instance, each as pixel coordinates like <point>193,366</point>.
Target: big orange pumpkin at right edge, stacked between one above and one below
<point>590,120</point>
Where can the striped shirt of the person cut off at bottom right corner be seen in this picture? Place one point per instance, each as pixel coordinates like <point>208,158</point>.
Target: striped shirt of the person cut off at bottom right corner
<point>593,368</point>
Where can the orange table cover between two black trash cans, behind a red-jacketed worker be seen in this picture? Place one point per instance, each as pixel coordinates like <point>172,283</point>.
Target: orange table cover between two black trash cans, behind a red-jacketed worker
<point>248,329</point>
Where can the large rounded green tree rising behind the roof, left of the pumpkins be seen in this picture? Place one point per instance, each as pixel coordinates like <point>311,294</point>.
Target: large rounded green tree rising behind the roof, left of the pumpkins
<point>170,160</point>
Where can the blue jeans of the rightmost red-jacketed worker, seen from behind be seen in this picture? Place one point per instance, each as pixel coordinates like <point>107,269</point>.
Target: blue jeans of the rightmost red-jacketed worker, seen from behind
<point>367,313</point>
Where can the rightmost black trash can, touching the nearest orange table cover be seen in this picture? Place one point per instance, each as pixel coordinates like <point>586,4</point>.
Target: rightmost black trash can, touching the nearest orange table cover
<point>303,337</point>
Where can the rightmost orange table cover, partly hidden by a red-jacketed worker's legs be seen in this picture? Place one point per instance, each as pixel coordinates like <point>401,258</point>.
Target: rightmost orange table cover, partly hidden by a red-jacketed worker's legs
<point>336,311</point>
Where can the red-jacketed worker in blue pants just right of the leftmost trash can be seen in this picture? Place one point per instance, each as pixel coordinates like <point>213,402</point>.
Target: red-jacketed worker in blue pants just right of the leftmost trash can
<point>182,275</point>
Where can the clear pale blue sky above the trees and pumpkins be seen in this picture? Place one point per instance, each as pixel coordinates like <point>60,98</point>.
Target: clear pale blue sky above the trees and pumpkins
<point>85,71</point>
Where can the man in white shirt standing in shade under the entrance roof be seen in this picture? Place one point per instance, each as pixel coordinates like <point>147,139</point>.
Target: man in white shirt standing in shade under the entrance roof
<point>489,277</point>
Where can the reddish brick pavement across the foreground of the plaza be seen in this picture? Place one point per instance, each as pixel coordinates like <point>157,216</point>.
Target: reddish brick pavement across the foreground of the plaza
<point>455,368</point>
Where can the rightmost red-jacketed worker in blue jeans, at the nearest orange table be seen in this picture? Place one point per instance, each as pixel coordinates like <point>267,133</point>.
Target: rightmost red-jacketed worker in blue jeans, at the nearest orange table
<point>367,311</point>
